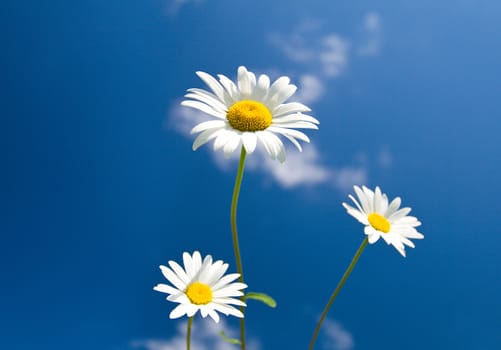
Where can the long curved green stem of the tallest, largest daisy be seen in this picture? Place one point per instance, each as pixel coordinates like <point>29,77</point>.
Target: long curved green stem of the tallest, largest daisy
<point>234,234</point>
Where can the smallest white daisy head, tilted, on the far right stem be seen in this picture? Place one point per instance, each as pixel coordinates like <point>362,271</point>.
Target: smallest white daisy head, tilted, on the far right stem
<point>384,220</point>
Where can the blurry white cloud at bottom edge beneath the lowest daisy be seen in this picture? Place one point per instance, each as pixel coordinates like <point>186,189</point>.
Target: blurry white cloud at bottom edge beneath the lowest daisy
<point>204,336</point>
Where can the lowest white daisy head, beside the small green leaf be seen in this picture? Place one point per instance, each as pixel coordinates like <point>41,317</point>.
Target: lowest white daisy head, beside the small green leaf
<point>201,286</point>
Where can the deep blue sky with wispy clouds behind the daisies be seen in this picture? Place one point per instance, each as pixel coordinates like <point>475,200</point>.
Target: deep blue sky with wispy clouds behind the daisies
<point>99,184</point>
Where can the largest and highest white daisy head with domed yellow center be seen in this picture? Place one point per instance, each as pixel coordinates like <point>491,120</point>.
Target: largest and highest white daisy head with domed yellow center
<point>249,112</point>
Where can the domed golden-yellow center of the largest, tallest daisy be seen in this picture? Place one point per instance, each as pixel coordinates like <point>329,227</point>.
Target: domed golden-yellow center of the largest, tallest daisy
<point>247,115</point>
